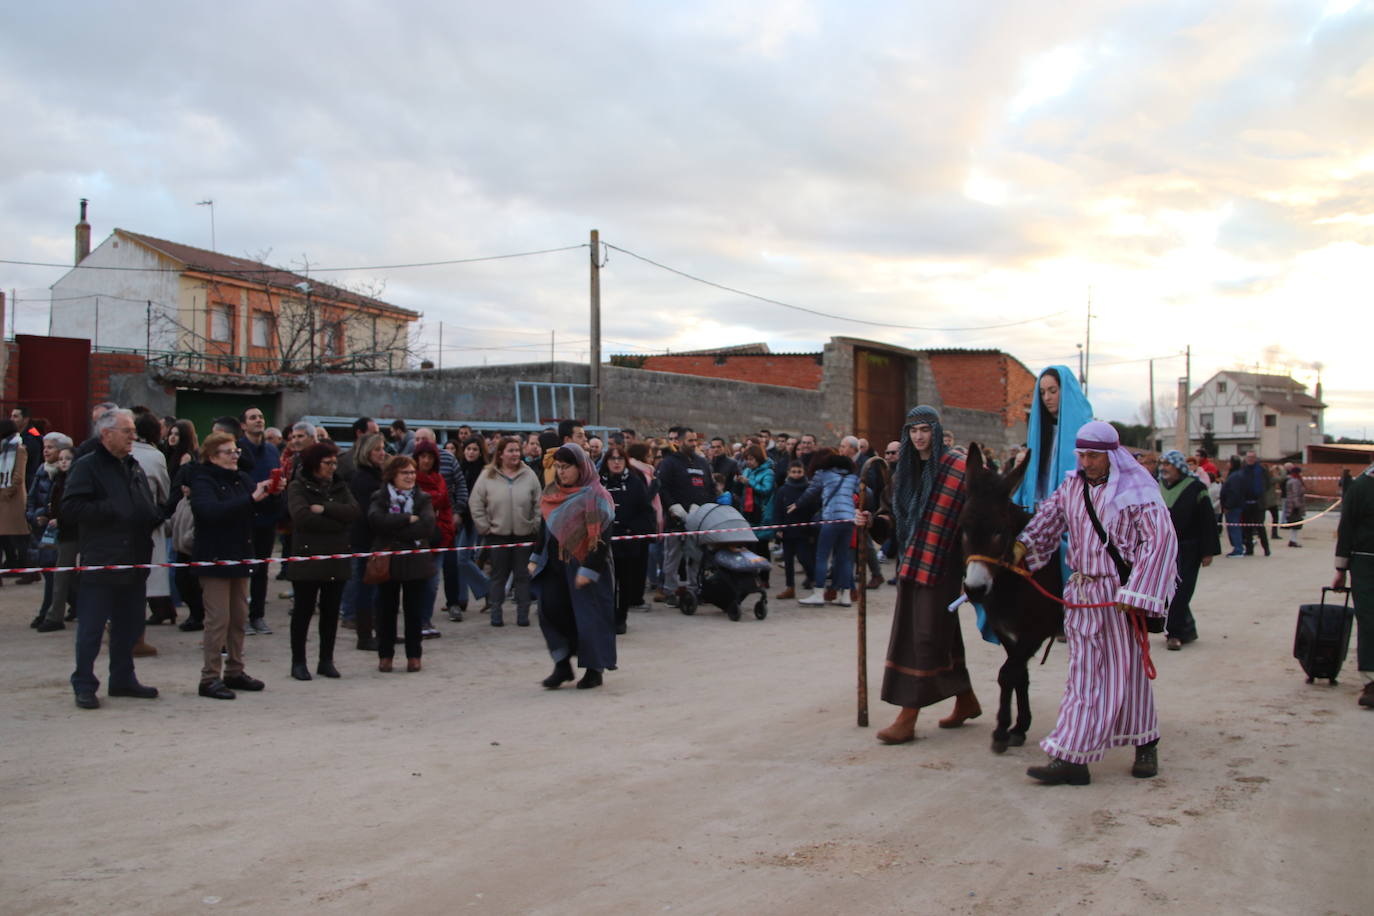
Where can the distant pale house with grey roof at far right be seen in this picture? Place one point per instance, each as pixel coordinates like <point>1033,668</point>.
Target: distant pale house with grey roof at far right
<point>1270,414</point>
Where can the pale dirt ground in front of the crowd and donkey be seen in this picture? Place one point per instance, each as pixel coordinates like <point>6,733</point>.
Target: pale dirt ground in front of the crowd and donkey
<point>719,771</point>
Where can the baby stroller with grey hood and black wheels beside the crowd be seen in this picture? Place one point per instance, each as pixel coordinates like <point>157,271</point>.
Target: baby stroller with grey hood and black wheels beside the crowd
<point>726,569</point>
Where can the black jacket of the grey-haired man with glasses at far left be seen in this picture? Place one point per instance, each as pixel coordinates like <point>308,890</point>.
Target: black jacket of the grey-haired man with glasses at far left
<point>112,503</point>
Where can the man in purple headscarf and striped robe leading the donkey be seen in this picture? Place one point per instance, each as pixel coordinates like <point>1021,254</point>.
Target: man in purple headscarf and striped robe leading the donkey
<point>1108,701</point>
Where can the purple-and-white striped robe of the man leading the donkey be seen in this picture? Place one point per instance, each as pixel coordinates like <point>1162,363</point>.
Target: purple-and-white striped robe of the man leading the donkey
<point>1108,701</point>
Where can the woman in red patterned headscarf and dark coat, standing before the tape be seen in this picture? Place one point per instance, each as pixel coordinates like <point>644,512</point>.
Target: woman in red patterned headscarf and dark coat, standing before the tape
<point>572,569</point>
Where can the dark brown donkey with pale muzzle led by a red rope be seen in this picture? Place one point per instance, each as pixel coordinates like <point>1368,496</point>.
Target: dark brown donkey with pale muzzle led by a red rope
<point>1020,616</point>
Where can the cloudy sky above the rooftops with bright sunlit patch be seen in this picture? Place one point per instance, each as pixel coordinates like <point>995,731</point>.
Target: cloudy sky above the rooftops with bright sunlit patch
<point>1203,171</point>
